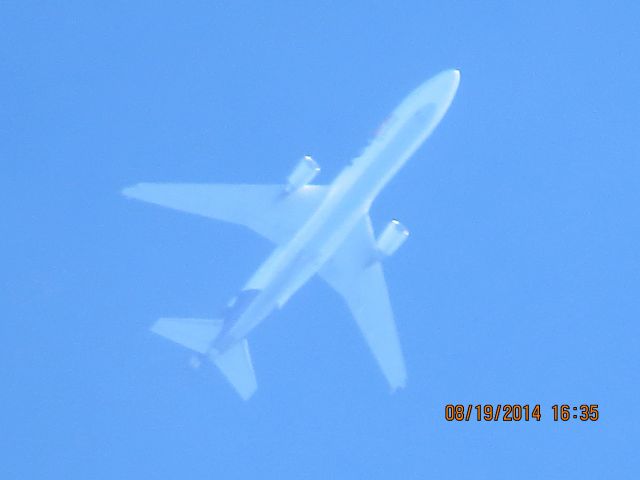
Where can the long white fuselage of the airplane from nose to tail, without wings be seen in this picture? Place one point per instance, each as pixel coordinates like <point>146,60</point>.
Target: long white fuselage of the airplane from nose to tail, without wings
<point>350,195</point>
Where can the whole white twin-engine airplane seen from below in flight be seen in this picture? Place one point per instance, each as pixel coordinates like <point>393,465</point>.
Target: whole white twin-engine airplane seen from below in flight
<point>317,229</point>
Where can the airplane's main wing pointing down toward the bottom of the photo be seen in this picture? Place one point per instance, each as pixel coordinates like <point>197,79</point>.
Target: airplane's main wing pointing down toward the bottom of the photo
<point>355,274</point>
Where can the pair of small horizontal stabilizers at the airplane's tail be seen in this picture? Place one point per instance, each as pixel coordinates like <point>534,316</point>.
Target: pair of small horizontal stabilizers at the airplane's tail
<point>198,334</point>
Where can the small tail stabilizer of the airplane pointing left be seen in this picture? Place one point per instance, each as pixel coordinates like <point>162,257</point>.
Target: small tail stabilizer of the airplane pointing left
<point>194,333</point>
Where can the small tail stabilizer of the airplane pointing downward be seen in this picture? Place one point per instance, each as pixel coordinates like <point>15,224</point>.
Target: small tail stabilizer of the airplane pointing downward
<point>235,364</point>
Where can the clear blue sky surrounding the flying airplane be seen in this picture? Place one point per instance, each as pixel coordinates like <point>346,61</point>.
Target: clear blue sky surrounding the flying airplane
<point>519,283</point>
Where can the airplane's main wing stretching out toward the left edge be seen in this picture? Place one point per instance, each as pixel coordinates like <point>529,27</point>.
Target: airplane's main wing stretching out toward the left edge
<point>265,209</point>
